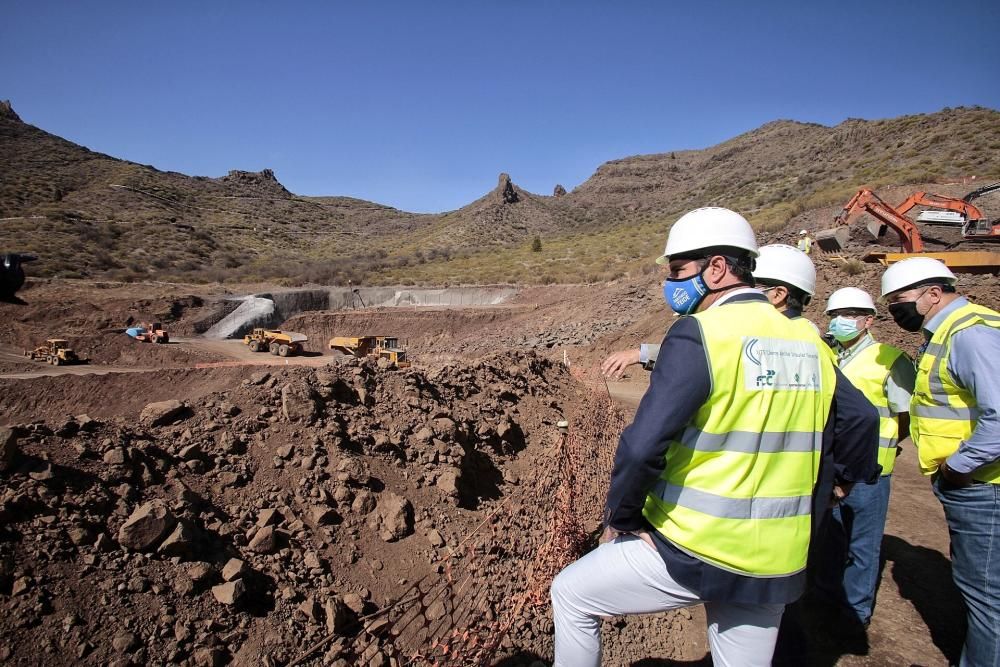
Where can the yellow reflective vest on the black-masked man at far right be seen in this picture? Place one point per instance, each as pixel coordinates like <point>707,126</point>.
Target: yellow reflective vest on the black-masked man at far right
<point>942,413</point>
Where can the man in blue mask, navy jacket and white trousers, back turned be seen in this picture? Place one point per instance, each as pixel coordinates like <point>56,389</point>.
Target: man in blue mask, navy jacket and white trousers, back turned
<point>710,498</point>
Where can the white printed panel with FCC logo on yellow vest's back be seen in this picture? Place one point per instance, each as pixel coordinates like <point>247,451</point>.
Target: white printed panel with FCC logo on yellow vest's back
<point>773,363</point>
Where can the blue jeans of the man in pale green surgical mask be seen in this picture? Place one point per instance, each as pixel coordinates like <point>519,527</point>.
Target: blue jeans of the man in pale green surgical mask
<point>854,540</point>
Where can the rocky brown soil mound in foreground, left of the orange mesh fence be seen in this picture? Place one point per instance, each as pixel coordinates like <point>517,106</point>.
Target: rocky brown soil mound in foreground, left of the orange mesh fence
<point>333,487</point>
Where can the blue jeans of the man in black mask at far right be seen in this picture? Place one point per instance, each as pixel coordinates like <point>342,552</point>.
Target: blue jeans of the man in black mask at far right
<point>973,516</point>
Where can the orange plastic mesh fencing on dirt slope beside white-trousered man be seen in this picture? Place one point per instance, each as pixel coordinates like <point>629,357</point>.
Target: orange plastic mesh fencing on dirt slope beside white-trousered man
<point>491,602</point>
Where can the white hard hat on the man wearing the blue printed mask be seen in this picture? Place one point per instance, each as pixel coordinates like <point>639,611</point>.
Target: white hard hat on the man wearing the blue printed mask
<point>709,227</point>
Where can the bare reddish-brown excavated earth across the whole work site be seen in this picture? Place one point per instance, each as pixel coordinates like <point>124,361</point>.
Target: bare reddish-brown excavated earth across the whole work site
<point>255,511</point>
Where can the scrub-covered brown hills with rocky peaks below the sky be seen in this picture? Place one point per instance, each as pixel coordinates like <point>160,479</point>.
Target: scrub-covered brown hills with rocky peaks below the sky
<point>91,215</point>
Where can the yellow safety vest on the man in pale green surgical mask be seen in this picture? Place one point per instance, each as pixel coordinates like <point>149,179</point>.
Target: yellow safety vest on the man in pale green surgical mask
<point>868,370</point>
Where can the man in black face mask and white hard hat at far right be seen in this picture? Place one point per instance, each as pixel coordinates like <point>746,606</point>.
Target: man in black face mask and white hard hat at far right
<point>955,424</point>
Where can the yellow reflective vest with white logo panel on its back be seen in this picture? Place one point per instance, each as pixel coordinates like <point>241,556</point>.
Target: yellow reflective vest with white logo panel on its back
<point>736,490</point>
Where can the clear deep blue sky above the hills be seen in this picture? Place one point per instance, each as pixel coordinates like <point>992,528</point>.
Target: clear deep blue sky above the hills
<point>420,104</point>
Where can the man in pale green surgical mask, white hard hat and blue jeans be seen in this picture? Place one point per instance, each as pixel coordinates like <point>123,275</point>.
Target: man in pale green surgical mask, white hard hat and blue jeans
<point>849,568</point>
